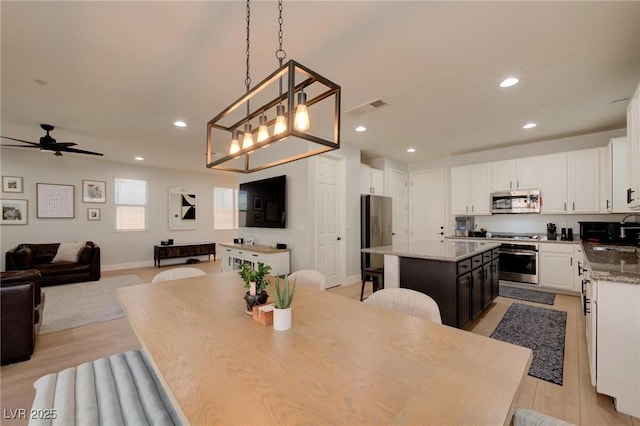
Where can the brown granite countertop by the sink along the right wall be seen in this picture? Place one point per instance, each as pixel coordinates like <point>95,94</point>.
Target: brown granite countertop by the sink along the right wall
<point>619,264</point>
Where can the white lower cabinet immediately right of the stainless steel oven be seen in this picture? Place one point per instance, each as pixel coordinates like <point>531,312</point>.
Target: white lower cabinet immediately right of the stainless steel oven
<point>556,266</point>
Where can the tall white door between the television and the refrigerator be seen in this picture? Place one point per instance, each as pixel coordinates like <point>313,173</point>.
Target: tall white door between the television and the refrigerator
<point>330,258</point>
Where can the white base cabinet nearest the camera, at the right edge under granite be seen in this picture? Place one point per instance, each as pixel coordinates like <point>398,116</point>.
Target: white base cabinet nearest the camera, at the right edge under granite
<point>616,314</point>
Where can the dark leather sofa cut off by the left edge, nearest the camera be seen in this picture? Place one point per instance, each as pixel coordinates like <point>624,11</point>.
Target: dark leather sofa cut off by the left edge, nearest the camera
<point>22,306</point>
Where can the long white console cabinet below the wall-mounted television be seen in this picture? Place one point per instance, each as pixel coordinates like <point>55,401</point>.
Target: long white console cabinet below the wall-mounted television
<point>233,257</point>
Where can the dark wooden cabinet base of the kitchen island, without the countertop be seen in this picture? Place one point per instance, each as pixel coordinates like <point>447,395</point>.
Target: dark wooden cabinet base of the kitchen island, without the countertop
<point>462,290</point>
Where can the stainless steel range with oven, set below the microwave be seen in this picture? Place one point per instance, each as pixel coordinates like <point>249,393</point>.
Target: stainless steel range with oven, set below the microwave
<point>519,260</point>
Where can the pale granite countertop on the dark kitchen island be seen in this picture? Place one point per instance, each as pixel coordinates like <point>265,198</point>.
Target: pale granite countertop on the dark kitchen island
<point>443,250</point>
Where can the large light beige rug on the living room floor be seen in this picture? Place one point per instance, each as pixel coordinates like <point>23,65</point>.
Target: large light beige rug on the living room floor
<point>74,305</point>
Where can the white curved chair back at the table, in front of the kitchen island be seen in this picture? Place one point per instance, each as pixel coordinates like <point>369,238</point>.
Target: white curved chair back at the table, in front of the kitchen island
<point>407,301</point>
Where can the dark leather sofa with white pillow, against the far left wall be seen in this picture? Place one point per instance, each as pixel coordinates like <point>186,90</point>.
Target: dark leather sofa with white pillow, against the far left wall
<point>39,256</point>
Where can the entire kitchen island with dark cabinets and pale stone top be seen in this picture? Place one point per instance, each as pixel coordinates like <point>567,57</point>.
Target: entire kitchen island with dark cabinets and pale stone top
<point>461,276</point>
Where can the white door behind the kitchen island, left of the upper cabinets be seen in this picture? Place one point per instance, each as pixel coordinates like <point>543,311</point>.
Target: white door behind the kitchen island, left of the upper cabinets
<point>428,204</point>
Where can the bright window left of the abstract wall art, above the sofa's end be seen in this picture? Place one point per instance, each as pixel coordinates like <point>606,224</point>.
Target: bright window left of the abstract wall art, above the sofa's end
<point>131,204</point>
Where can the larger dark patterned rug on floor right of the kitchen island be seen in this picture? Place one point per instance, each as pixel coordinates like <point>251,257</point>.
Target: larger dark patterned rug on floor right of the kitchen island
<point>540,329</point>
